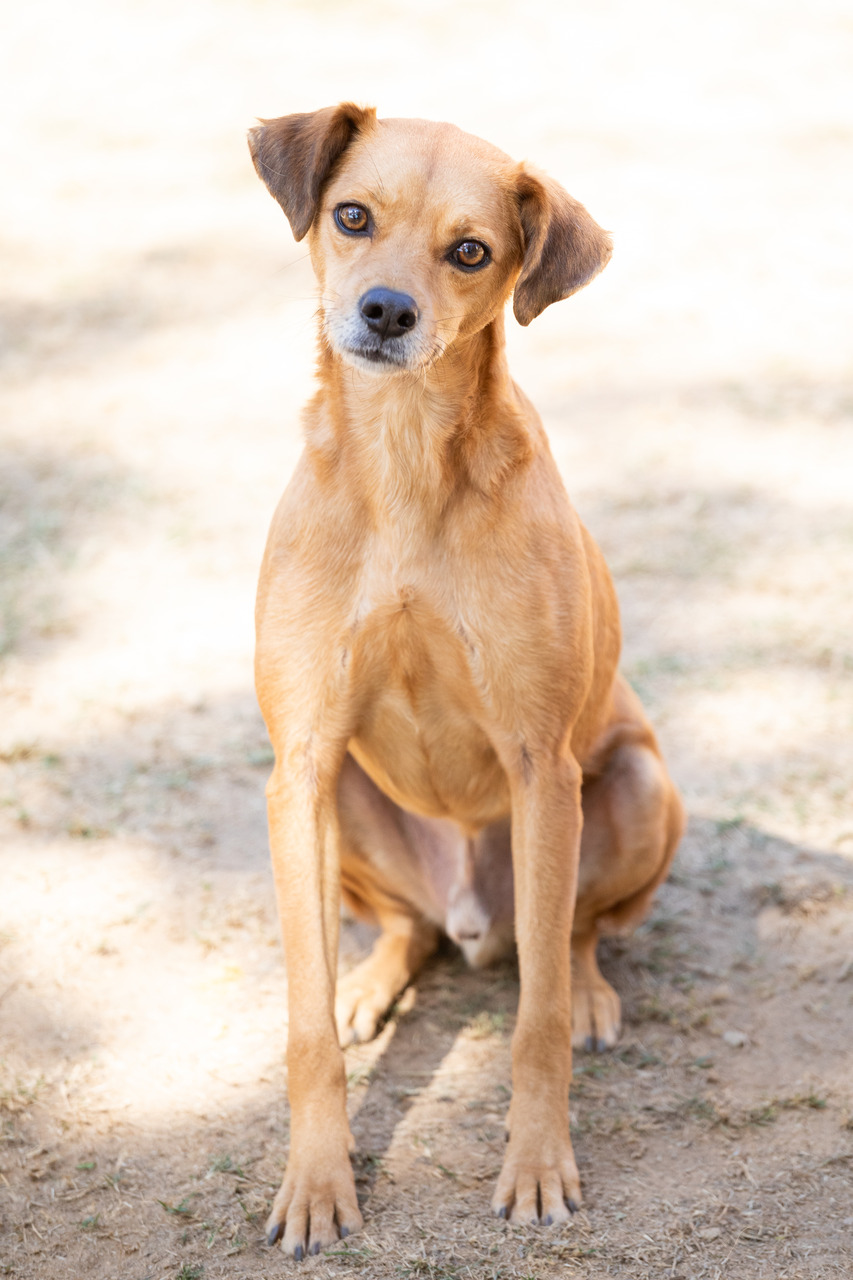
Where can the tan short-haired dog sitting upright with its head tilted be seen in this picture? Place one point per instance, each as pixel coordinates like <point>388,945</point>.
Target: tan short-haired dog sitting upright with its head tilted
<point>437,646</point>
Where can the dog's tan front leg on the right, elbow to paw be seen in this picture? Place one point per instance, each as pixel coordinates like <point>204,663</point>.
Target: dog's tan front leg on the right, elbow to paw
<point>540,1177</point>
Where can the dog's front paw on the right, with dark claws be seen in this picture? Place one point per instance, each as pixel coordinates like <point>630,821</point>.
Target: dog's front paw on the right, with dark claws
<point>539,1183</point>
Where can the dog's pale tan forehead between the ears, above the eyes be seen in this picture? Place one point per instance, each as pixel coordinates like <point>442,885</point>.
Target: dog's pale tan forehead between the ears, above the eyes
<point>428,164</point>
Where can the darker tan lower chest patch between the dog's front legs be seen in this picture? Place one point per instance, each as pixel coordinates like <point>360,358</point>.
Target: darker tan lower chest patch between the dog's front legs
<point>418,737</point>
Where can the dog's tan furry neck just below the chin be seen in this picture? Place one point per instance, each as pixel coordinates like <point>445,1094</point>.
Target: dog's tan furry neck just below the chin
<point>412,441</point>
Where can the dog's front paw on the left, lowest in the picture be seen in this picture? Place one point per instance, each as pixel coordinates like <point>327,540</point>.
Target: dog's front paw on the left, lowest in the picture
<point>314,1209</point>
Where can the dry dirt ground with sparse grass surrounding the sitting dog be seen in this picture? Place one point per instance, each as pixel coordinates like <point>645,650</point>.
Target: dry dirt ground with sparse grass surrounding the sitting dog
<point>157,333</point>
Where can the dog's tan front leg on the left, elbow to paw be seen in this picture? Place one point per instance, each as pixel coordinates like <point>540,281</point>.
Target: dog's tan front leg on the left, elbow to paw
<point>317,1200</point>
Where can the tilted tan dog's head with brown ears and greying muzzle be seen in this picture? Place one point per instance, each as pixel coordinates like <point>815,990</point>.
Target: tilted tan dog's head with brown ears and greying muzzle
<point>421,232</point>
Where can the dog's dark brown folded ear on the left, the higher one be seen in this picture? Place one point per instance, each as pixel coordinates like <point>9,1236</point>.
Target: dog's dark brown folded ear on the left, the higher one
<point>295,156</point>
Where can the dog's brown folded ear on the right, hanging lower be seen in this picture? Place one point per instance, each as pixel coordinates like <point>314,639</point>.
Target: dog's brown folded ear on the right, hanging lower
<point>564,248</point>
